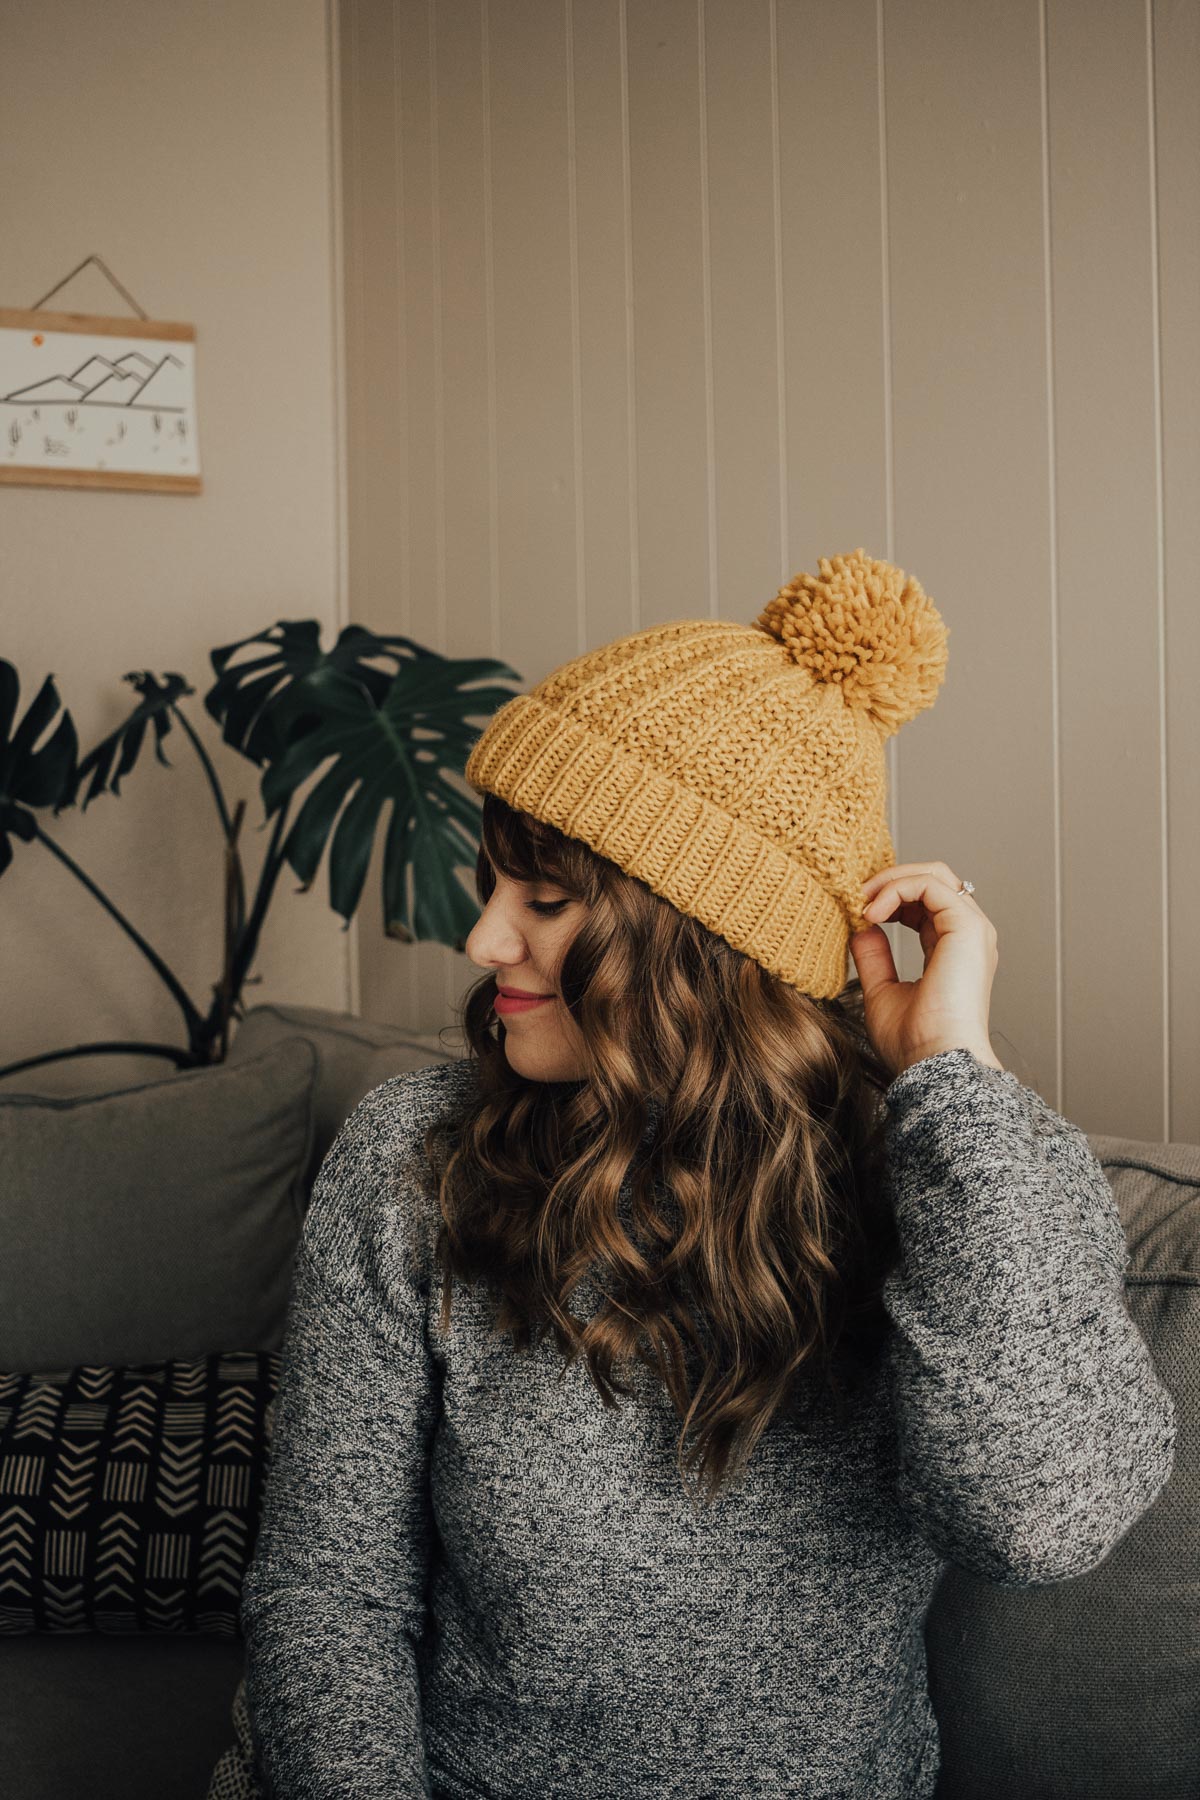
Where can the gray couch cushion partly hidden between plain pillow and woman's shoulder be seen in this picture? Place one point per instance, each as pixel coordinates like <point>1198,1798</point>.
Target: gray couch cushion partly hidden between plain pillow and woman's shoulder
<point>354,1056</point>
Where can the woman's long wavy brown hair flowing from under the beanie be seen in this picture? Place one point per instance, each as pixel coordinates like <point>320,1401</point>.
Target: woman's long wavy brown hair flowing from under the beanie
<point>746,1119</point>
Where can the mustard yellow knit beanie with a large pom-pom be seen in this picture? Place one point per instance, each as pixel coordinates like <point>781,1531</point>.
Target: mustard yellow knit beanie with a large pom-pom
<point>737,769</point>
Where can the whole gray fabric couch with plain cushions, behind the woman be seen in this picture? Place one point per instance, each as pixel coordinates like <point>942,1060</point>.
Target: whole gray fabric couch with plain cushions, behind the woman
<point>161,1223</point>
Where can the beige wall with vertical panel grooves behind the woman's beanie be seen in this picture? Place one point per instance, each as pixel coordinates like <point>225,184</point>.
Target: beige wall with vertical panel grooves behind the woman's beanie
<point>652,305</point>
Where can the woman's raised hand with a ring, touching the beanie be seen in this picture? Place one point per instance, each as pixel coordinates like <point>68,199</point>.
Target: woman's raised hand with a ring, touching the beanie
<point>947,1009</point>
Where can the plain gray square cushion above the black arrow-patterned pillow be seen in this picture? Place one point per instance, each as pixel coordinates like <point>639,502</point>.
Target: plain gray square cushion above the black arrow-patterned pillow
<point>154,1223</point>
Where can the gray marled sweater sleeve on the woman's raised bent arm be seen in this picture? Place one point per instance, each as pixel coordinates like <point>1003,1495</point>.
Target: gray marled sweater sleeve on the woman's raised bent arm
<point>1032,1425</point>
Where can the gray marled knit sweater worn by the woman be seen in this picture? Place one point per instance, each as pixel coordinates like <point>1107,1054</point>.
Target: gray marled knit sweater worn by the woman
<point>474,1581</point>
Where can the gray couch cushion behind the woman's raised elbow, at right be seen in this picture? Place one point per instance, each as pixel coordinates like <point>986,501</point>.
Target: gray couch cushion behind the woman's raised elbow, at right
<point>1089,1689</point>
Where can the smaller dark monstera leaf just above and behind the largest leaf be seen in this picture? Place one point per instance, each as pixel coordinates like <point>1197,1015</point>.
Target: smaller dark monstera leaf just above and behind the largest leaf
<point>271,701</point>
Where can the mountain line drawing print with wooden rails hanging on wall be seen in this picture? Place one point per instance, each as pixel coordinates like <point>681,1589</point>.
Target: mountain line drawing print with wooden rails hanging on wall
<point>98,402</point>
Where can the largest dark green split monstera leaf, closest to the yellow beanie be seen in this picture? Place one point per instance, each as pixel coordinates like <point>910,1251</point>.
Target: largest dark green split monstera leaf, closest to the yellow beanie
<point>379,760</point>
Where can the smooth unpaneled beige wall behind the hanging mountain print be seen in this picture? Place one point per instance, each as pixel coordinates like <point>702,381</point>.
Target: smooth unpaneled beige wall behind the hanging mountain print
<point>192,148</point>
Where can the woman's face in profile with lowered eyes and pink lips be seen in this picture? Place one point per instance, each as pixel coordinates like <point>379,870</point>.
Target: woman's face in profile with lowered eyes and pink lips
<point>523,937</point>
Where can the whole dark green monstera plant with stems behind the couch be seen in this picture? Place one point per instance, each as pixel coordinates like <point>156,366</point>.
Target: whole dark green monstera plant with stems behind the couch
<point>343,737</point>
